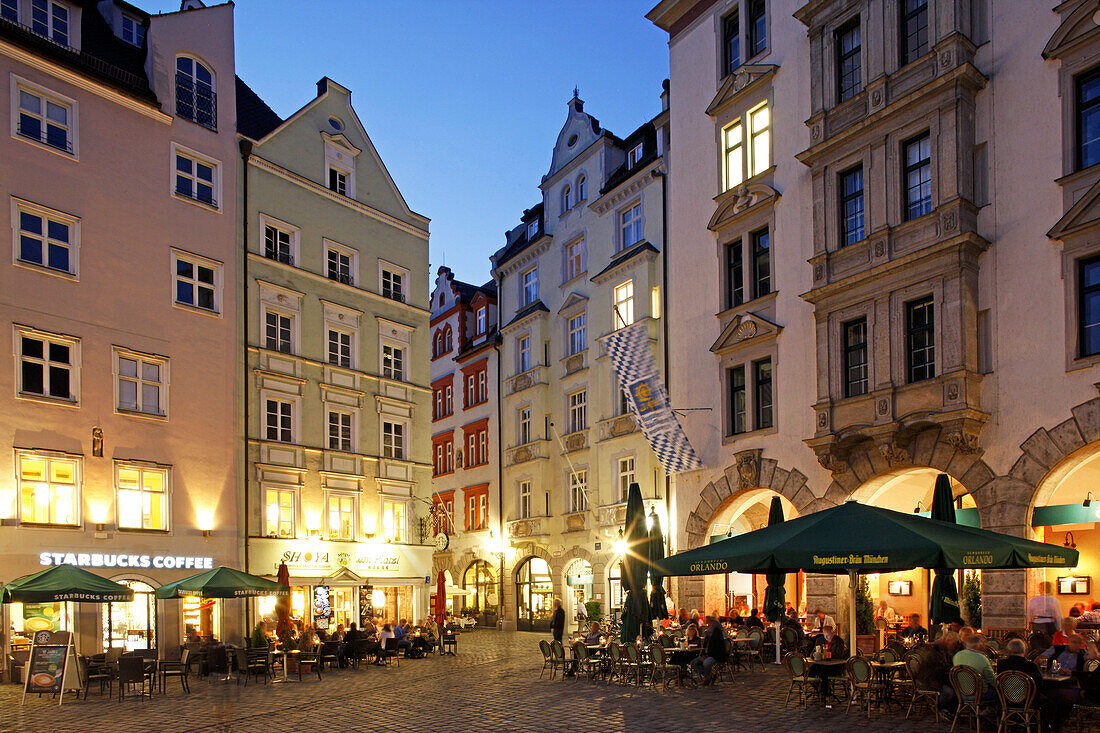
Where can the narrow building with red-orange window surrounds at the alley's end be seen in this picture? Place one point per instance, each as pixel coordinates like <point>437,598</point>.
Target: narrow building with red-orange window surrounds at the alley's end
<point>465,443</point>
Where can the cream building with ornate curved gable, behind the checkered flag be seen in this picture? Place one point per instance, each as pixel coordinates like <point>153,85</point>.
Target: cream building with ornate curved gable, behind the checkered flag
<point>586,261</point>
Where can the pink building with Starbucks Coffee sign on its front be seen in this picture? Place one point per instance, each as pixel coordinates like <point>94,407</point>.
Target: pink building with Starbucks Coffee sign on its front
<point>120,318</point>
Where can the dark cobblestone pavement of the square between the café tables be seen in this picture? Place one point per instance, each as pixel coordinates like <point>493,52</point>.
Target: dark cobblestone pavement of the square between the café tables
<point>492,685</point>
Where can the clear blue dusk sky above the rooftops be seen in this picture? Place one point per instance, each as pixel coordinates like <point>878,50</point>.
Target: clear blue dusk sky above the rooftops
<point>463,100</point>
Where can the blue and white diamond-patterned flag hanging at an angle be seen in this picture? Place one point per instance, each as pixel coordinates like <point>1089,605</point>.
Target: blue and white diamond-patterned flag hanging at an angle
<point>636,370</point>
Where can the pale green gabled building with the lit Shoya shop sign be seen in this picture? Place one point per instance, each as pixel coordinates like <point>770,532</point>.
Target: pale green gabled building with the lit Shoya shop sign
<point>337,384</point>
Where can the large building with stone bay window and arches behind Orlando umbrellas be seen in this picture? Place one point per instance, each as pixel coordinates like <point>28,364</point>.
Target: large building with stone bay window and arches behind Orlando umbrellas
<point>931,261</point>
